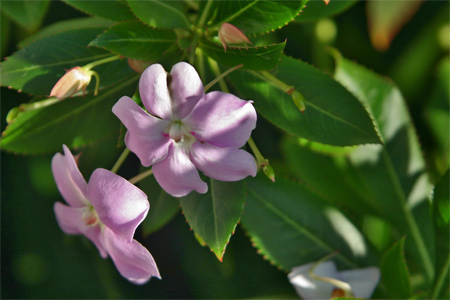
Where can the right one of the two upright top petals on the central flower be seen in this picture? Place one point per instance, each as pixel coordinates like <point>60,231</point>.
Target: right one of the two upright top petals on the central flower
<point>186,89</point>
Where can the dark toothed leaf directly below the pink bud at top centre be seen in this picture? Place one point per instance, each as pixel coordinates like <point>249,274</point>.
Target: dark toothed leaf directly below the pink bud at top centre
<point>253,58</point>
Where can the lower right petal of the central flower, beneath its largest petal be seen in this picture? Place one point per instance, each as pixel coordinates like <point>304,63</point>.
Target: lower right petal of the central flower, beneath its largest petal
<point>225,164</point>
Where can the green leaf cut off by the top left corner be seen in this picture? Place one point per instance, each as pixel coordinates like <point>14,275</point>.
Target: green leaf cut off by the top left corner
<point>28,14</point>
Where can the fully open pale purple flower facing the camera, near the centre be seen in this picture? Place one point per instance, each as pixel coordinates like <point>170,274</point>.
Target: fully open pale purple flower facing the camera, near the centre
<point>185,130</point>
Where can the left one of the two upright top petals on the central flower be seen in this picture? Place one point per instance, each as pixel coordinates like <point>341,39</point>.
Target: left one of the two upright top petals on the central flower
<point>154,92</point>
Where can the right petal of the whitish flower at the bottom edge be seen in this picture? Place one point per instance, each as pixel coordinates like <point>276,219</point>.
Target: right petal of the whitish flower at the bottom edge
<point>362,281</point>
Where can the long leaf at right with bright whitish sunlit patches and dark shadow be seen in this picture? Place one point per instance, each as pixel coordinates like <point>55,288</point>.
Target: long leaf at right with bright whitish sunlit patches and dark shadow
<point>395,173</point>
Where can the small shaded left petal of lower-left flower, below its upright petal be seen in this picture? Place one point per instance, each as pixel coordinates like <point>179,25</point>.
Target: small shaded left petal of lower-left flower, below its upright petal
<point>70,219</point>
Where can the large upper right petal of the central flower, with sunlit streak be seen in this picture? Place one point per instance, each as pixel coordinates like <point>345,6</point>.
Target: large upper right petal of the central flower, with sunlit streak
<point>222,120</point>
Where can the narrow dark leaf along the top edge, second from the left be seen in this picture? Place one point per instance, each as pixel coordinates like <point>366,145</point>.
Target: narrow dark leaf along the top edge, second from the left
<point>115,10</point>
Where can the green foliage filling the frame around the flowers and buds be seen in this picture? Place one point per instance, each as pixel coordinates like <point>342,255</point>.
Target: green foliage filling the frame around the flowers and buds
<point>365,148</point>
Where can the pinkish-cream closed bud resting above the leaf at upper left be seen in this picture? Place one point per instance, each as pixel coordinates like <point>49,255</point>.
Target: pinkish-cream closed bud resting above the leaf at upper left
<point>75,80</point>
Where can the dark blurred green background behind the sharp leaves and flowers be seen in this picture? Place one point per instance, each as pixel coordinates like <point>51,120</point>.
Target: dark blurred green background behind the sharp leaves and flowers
<point>39,261</point>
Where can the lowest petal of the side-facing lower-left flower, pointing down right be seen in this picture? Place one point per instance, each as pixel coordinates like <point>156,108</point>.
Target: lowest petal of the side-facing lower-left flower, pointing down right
<point>133,260</point>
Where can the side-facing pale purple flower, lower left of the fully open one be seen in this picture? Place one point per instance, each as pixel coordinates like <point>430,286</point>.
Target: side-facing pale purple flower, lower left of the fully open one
<point>106,210</point>
